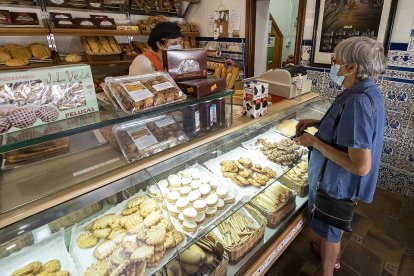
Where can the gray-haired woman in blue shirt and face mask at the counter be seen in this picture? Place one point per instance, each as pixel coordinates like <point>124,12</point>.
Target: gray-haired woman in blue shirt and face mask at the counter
<point>352,151</point>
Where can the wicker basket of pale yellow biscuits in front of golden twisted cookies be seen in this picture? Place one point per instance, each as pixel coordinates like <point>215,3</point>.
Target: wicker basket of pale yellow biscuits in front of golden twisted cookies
<point>275,203</point>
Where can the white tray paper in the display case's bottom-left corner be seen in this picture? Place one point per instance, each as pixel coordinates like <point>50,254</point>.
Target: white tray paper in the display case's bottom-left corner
<point>51,248</point>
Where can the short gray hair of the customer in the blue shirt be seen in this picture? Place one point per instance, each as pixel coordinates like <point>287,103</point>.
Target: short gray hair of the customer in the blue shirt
<point>367,53</point>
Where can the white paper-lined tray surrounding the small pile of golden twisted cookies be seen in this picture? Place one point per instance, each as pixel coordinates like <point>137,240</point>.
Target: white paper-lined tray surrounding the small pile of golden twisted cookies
<point>244,193</point>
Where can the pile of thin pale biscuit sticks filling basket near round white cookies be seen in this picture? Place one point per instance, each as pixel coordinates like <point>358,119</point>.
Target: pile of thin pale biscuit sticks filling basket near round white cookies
<point>237,229</point>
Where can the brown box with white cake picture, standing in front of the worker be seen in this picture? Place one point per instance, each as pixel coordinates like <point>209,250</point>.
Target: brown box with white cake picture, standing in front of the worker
<point>187,64</point>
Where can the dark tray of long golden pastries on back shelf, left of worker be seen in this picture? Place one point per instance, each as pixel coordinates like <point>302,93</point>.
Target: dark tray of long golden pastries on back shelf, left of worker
<point>101,48</point>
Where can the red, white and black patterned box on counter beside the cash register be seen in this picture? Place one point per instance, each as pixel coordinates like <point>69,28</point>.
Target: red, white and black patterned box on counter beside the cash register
<point>255,95</point>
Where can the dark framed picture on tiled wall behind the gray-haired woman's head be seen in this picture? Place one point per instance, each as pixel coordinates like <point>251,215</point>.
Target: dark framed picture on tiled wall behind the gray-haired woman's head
<point>336,20</point>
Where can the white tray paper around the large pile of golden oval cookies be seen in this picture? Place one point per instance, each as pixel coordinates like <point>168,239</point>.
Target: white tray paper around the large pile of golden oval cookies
<point>84,257</point>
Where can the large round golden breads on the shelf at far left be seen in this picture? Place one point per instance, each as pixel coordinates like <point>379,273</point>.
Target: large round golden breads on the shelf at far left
<point>19,55</point>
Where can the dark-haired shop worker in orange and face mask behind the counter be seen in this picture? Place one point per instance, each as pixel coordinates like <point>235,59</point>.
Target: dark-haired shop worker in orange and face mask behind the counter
<point>164,36</point>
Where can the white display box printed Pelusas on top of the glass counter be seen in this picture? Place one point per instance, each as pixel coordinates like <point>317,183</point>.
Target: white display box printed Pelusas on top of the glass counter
<point>39,96</point>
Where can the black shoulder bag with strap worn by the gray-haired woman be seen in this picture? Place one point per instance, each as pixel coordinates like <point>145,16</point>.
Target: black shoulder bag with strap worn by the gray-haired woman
<point>333,211</point>
